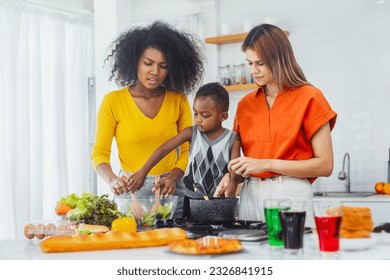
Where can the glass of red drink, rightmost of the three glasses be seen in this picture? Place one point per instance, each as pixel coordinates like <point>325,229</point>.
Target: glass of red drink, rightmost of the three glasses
<point>328,215</point>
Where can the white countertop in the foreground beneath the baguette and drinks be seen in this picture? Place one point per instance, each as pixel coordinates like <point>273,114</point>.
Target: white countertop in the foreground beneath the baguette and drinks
<point>30,250</point>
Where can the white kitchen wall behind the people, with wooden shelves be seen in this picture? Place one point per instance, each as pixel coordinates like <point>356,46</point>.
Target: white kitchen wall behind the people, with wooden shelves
<point>342,46</point>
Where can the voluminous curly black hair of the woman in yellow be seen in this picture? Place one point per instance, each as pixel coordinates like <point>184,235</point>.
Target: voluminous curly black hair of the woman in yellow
<point>182,51</point>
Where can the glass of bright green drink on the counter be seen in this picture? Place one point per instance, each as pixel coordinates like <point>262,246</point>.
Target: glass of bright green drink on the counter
<point>274,227</point>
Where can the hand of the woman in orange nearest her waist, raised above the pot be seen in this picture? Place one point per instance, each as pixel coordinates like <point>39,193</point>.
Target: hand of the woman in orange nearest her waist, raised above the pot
<point>245,166</point>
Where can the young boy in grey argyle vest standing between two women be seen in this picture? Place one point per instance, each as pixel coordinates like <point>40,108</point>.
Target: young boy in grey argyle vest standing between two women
<point>212,146</point>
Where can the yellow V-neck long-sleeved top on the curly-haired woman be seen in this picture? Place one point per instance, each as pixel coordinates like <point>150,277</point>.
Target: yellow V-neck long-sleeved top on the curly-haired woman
<point>136,135</point>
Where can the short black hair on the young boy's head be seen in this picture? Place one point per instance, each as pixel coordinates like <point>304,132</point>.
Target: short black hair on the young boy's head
<point>217,93</point>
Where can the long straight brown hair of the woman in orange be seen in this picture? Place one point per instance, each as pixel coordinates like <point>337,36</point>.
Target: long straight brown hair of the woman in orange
<point>271,44</point>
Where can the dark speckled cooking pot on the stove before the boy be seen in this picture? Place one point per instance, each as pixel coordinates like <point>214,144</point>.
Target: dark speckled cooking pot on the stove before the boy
<point>216,209</point>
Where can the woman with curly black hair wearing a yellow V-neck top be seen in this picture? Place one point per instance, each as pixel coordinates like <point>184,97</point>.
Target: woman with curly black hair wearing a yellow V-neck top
<point>156,67</point>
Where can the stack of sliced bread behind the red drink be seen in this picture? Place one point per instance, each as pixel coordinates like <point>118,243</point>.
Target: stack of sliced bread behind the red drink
<point>356,223</point>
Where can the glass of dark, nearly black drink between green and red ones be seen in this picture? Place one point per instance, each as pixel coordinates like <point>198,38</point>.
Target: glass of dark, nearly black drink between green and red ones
<point>293,219</point>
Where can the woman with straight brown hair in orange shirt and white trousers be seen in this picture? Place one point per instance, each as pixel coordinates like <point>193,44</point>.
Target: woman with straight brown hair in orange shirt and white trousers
<point>284,127</point>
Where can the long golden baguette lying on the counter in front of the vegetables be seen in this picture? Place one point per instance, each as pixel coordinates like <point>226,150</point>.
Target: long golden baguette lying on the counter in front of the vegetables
<point>111,240</point>
